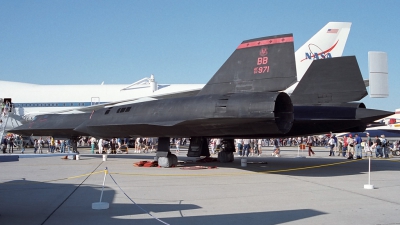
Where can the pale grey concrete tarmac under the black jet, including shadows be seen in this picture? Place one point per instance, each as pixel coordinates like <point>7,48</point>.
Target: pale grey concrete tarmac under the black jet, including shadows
<point>269,190</point>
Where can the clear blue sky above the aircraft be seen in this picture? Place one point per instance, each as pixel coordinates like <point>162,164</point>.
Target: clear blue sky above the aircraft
<point>120,42</point>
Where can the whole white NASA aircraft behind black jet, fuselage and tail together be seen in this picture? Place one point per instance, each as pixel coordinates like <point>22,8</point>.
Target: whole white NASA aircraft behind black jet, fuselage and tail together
<point>29,100</point>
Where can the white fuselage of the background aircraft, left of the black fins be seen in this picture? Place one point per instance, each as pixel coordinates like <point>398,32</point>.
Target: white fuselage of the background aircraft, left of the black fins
<point>29,100</point>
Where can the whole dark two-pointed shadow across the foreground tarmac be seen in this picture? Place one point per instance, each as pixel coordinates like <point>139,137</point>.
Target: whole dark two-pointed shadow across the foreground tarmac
<point>30,202</point>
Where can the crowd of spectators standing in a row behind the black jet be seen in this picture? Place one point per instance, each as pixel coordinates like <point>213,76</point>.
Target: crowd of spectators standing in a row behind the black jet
<point>345,146</point>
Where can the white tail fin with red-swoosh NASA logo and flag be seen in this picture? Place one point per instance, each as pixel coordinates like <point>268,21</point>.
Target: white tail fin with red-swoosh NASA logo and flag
<point>329,42</point>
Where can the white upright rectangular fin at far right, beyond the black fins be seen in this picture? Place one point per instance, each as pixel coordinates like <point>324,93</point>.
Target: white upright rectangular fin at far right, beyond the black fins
<point>378,75</point>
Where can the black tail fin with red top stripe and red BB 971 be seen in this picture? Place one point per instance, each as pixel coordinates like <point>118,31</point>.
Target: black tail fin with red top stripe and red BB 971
<point>257,65</point>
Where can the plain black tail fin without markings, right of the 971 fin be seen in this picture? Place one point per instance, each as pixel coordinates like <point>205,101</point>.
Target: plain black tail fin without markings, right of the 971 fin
<point>335,80</point>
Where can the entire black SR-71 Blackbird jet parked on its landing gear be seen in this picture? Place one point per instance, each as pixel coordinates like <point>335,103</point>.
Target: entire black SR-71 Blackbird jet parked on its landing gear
<point>244,99</point>
